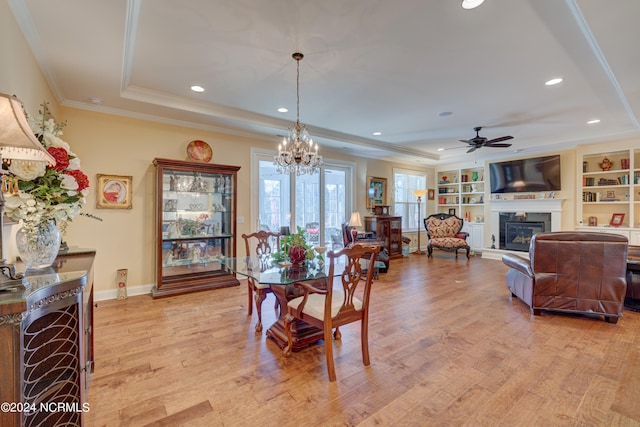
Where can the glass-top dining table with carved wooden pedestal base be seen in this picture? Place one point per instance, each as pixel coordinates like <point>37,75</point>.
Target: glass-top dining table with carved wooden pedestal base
<point>281,277</point>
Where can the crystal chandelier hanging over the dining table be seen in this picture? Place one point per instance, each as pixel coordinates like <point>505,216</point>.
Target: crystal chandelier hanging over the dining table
<point>297,153</point>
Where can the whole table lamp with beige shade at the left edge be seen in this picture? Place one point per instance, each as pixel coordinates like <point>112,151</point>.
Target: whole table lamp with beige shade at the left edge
<point>17,142</point>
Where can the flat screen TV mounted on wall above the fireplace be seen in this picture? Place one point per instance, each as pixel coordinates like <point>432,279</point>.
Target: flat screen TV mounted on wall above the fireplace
<point>525,175</point>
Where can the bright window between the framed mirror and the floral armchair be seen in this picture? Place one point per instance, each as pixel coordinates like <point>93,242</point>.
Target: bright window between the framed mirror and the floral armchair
<point>405,204</point>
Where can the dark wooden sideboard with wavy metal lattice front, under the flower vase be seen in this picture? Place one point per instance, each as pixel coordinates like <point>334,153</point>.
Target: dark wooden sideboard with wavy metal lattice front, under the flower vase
<point>46,333</point>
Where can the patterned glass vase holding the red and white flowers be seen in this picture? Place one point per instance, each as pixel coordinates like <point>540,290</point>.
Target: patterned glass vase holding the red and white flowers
<point>40,250</point>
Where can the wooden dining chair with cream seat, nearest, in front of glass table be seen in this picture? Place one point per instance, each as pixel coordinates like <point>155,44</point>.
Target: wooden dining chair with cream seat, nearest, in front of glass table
<point>331,308</point>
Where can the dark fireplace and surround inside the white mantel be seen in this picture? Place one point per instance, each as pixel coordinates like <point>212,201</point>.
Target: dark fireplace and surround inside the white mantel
<point>517,228</point>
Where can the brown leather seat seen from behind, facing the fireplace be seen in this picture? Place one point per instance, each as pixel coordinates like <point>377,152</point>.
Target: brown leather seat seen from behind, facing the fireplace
<point>571,272</point>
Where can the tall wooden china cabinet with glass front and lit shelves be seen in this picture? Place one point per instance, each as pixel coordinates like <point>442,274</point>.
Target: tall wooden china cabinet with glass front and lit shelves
<point>196,226</point>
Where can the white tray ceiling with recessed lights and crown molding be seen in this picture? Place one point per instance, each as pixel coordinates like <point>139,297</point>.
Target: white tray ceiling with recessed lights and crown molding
<point>370,65</point>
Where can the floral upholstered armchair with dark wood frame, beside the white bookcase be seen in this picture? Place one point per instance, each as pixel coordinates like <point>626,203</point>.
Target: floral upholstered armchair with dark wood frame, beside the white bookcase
<point>443,232</point>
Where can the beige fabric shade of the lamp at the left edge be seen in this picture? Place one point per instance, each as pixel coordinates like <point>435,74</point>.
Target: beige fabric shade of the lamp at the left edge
<point>17,141</point>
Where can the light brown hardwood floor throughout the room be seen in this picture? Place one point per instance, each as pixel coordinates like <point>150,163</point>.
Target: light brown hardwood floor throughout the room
<point>448,348</point>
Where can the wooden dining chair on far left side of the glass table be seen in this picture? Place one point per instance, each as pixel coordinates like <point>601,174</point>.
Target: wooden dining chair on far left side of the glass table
<point>261,242</point>
